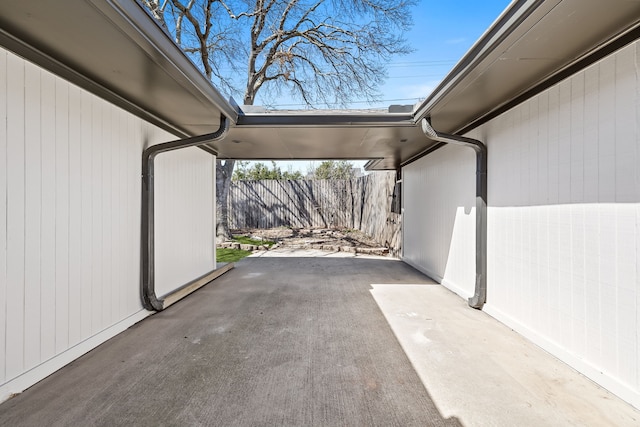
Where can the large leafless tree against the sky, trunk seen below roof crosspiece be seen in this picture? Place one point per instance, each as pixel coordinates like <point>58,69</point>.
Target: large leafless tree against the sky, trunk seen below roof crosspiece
<point>322,52</point>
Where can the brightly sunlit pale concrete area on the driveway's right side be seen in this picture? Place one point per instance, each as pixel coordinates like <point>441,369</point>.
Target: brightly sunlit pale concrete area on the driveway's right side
<point>485,374</point>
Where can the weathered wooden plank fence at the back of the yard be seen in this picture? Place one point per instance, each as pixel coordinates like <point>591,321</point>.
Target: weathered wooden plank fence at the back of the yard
<point>362,203</point>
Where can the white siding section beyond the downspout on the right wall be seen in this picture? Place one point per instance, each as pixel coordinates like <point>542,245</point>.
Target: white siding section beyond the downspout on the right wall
<point>439,217</point>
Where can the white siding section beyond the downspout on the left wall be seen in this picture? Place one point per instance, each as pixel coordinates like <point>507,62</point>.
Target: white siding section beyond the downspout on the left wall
<point>185,241</point>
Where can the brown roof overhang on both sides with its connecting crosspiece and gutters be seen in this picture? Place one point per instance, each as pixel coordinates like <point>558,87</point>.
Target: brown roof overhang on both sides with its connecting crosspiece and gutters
<point>115,49</point>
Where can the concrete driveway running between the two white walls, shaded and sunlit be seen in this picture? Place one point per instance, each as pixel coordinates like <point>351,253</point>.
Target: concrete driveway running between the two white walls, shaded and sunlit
<point>288,340</point>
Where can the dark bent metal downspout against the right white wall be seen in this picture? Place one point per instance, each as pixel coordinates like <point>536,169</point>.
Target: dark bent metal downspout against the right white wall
<point>480,294</point>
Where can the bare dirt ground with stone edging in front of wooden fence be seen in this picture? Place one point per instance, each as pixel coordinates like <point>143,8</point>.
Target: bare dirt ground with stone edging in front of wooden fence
<point>346,240</point>
